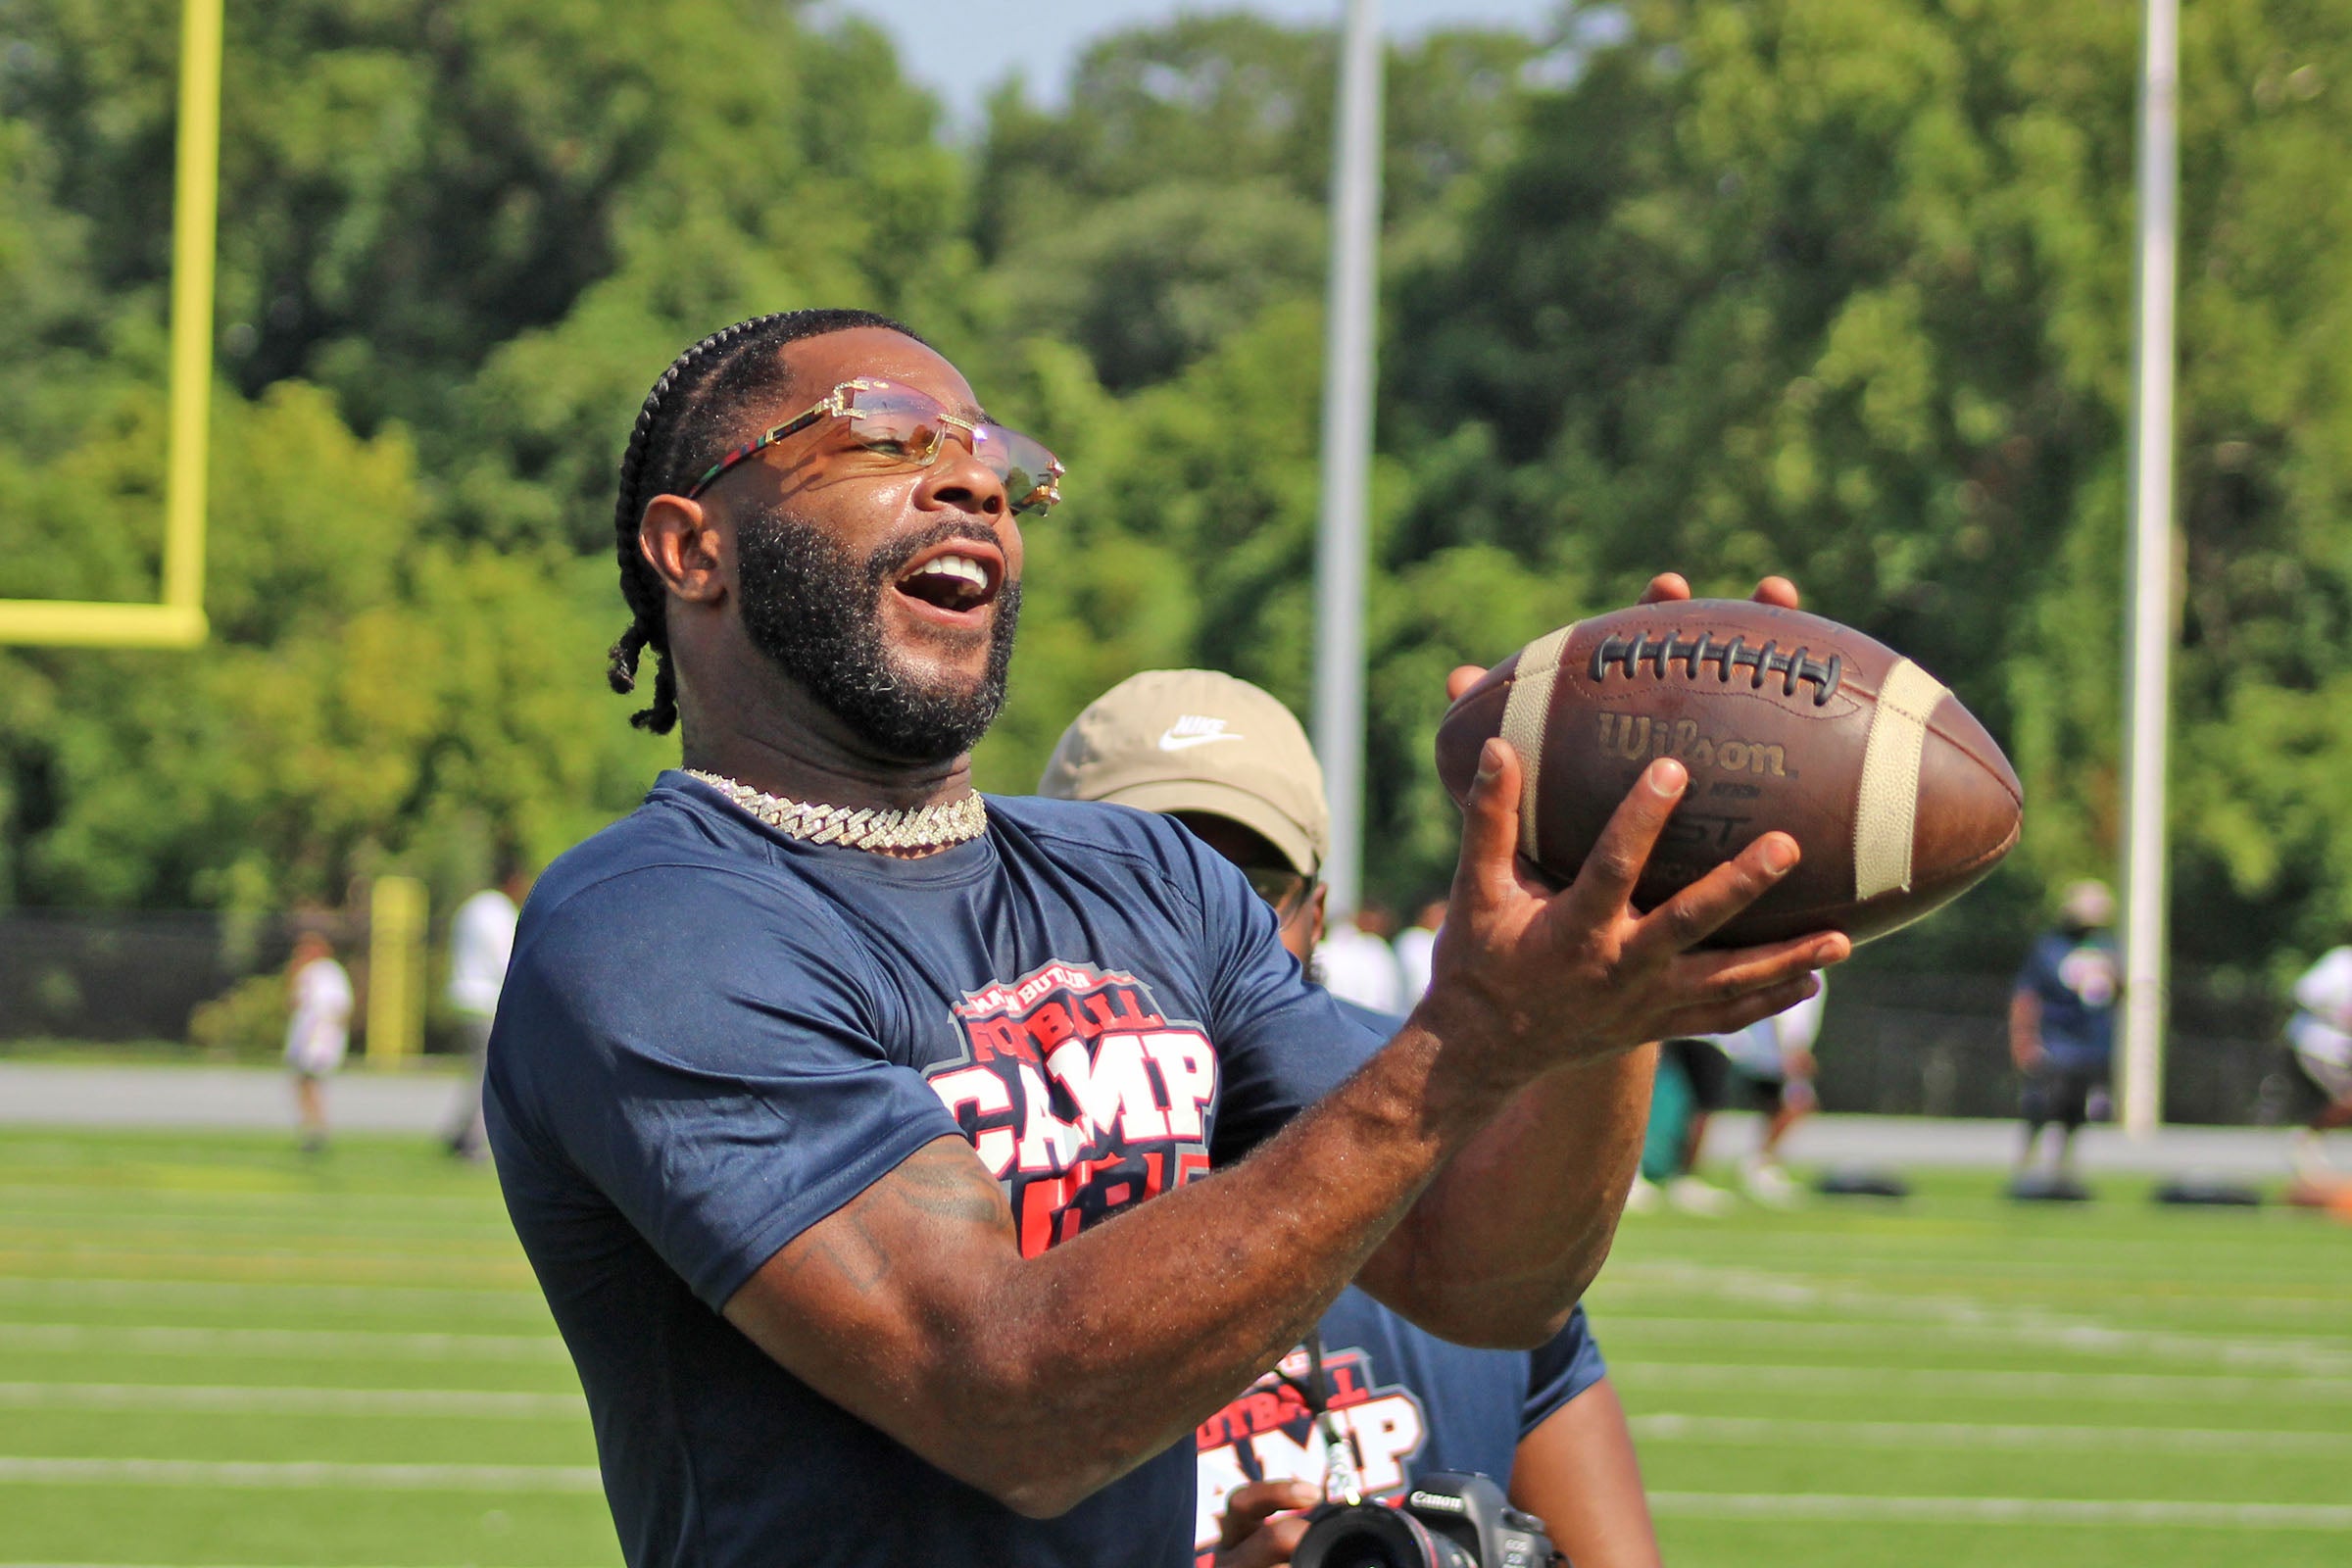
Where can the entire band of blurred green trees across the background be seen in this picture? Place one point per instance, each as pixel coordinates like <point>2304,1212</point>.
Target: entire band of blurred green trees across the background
<point>1833,288</point>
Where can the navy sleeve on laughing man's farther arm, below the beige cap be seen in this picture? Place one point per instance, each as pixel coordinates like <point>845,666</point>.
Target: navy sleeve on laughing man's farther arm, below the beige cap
<point>1283,1040</point>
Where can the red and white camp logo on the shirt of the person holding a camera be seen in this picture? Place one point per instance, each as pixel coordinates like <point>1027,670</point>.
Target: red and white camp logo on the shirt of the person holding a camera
<point>1267,1435</point>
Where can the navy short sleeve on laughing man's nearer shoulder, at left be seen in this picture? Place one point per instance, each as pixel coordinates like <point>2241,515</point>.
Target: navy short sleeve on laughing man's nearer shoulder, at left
<point>707,1064</point>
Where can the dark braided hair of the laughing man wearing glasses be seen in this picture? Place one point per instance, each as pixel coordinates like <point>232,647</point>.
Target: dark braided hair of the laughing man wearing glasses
<point>686,427</point>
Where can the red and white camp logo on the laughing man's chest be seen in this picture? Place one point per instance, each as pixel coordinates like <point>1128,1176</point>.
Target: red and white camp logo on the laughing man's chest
<point>1078,1097</point>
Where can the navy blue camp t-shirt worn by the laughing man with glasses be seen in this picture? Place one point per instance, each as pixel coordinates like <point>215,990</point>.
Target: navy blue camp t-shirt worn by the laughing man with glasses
<point>714,1038</point>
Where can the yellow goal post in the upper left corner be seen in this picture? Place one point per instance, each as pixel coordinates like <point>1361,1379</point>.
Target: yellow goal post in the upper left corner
<point>180,619</point>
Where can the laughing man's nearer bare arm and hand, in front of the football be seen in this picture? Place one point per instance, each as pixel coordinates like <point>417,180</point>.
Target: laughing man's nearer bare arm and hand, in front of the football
<point>1043,1379</point>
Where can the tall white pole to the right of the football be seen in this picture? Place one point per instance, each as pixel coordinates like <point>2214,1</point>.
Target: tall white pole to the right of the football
<point>2151,638</point>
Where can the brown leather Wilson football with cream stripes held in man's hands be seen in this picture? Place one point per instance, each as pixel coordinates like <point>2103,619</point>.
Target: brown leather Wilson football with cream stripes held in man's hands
<point>1892,789</point>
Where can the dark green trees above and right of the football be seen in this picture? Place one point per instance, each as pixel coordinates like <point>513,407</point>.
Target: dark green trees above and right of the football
<point>1843,290</point>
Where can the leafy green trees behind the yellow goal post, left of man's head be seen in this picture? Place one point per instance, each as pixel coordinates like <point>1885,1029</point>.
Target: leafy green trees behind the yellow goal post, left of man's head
<point>457,246</point>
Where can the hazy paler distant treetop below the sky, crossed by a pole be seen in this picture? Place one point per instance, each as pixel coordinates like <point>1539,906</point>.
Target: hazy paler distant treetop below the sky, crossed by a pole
<point>1182,187</point>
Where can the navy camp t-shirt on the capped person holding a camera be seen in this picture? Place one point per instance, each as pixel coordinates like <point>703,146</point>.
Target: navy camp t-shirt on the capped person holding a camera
<point>1415,1405</point>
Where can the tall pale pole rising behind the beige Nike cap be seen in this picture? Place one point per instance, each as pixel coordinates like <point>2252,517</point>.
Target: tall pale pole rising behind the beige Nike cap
<point>1347,445</point>
